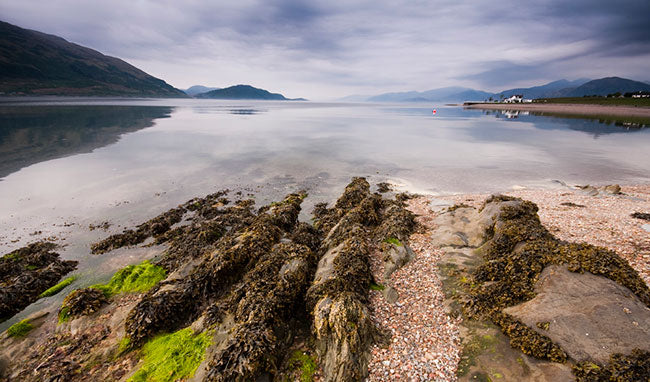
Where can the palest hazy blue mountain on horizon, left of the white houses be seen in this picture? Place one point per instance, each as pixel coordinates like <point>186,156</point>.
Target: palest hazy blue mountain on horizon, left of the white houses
<point>449,94</point>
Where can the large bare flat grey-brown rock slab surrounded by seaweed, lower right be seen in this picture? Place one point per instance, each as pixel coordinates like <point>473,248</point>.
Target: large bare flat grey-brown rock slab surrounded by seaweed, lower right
<point>589,316</point>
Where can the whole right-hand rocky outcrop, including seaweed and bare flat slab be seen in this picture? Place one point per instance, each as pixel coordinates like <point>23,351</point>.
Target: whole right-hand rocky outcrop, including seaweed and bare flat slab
<point>554,300</point>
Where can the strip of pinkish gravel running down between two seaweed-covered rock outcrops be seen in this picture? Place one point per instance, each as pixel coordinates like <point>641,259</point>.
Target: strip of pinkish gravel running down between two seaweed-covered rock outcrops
<point>425,342</point>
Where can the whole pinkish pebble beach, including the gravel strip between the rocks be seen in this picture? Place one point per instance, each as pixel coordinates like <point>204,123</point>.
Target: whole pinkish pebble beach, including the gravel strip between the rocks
<point>429,342</point>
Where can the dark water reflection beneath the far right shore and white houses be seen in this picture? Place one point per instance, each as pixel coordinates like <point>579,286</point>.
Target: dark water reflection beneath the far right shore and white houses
<point>595,125</point>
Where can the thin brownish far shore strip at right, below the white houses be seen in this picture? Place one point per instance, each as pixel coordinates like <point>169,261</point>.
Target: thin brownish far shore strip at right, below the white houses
<point>574,109</point>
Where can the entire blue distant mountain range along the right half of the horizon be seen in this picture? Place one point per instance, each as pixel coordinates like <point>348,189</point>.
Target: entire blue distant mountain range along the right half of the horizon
<point>562,88</point>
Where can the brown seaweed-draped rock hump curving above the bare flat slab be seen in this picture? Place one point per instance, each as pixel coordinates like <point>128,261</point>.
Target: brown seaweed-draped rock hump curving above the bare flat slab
<point>519,248</point>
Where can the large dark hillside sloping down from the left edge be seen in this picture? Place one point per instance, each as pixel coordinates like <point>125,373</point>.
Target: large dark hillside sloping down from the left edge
<point>35,63</point>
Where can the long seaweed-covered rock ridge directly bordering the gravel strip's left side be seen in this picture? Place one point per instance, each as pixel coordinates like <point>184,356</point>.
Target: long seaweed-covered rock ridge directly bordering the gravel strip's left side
<point>338,296</point>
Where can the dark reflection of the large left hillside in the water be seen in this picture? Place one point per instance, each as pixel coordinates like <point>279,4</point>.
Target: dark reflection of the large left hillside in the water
<point>33,134</point>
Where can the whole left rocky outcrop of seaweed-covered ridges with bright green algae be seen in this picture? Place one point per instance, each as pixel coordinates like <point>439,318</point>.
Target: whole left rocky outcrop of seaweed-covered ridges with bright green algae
<point>260,285</point>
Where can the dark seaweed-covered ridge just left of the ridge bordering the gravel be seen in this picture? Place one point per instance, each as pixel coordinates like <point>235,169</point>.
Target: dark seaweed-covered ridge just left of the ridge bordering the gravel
<point>274,289</point>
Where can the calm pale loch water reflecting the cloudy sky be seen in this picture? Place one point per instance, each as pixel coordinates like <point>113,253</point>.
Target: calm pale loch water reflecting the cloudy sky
<point>67,164</point>
